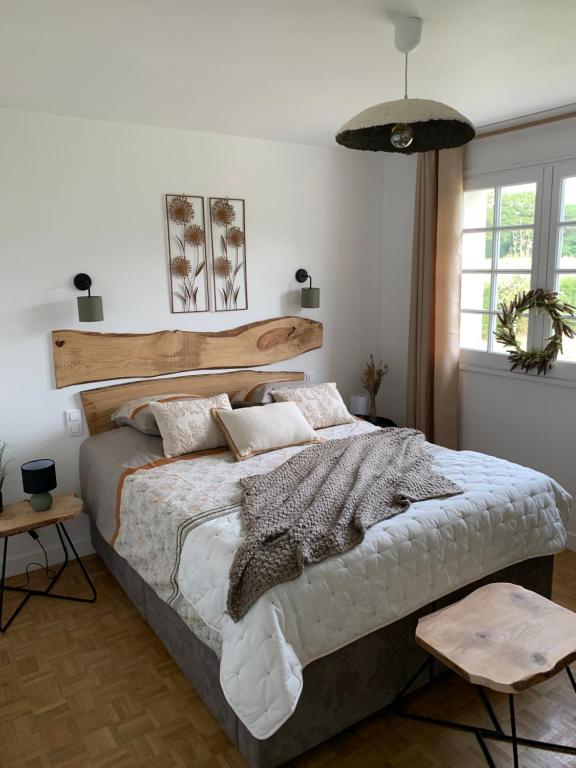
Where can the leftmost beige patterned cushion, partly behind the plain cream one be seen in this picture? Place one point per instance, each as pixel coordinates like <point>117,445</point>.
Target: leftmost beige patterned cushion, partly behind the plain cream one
<point>187,425</point>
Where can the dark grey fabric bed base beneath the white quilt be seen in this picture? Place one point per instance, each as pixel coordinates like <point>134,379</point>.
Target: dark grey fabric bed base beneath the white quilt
<point>339,689</point>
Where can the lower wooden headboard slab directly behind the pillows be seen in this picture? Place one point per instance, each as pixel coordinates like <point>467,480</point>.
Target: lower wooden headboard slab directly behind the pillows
<point>99,404</point>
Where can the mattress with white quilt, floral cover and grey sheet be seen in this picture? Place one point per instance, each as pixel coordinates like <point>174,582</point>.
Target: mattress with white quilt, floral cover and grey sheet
<point>178,523</point>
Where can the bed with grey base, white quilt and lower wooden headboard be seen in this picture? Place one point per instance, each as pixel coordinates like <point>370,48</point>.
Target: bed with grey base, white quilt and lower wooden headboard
<point>315,655</point>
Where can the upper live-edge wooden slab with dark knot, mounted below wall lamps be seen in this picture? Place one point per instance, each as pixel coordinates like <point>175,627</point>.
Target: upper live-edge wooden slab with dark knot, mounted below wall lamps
<point>83,356</point>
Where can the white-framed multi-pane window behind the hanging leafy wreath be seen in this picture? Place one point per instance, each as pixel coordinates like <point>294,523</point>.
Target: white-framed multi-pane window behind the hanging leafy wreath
<point>519,232</point>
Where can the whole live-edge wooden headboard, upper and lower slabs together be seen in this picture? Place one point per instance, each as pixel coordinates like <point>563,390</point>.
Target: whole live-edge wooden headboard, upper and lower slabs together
<point>81,357</point>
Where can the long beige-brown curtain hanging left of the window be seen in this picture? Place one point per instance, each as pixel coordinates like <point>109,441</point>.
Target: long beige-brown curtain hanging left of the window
<point>434,342</point>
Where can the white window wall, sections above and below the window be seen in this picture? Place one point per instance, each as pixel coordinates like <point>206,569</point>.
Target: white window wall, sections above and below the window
<point>530,421</point>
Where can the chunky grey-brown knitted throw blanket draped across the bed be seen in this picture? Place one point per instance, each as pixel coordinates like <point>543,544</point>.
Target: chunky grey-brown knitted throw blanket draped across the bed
<point>322,501</point>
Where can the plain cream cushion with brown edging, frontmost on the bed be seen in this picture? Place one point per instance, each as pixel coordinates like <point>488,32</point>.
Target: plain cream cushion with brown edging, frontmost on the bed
<point>250,431</point>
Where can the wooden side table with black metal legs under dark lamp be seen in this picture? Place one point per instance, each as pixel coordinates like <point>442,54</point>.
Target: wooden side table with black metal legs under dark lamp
<point>20,518</point>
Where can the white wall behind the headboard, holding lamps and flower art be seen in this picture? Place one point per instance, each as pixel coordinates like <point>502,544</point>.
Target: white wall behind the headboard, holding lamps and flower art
<point>79,195</point>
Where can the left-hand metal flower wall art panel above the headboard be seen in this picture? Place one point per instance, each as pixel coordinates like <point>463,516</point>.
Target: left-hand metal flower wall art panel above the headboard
<point>187,253</point>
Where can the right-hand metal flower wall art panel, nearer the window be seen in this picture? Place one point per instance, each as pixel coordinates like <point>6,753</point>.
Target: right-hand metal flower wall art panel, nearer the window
<point>228,234</point>
